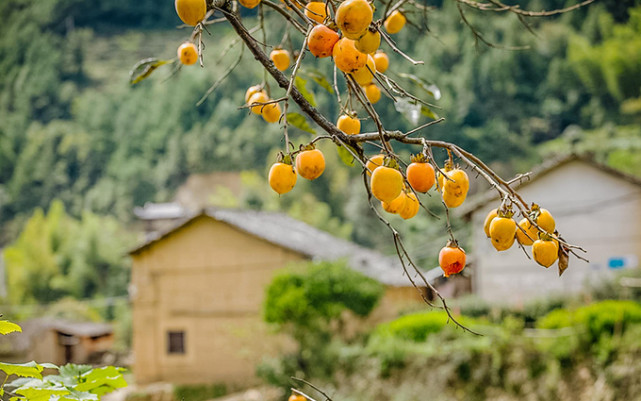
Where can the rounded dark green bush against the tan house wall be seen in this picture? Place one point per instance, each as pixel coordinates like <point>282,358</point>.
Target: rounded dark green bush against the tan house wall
<point>309,302</point>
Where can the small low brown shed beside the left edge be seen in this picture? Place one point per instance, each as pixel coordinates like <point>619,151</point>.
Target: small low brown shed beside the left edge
<point>58,341</point>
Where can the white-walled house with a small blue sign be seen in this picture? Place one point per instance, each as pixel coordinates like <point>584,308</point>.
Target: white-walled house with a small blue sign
<point>595,207</point>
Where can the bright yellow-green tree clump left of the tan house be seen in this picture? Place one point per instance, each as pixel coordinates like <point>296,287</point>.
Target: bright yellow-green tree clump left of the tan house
<point>57,256</point>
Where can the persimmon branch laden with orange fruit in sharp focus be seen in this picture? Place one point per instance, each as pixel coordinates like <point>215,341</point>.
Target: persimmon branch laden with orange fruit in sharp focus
<point>349,32</point>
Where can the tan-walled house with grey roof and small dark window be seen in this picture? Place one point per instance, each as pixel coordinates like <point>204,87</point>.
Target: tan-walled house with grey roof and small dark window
<point>197,291</point>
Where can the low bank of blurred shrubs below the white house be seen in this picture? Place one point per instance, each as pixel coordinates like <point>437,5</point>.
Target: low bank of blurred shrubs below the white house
<point>507,362</point>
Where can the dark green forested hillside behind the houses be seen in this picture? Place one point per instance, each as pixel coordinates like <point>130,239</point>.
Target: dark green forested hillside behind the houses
<point>71,128</point>
